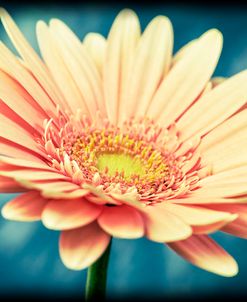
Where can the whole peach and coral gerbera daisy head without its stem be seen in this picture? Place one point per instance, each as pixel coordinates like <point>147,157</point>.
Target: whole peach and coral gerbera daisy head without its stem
<point>117,137</point>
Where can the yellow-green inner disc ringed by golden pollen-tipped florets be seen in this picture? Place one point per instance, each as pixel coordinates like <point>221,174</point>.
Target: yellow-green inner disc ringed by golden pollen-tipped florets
<point>118,156</point>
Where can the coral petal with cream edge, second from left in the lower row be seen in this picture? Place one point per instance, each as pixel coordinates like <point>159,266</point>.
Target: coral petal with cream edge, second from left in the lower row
<point>69,214</point>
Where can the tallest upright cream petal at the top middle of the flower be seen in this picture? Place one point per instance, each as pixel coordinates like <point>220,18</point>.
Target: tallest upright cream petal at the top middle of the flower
<point>121,44</point>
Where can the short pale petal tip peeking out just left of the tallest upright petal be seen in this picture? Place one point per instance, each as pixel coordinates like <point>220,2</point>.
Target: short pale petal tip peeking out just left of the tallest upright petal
<point>95,45</point>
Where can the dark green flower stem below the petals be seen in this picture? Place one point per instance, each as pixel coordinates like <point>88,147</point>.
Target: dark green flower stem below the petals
<point>97,277</point>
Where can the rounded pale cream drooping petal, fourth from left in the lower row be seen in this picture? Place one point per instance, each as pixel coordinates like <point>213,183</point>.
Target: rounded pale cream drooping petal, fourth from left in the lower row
<point>163,226</point>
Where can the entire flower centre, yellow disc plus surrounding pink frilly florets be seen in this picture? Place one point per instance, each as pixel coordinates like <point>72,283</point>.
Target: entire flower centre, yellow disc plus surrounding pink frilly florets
<point>138,156</point>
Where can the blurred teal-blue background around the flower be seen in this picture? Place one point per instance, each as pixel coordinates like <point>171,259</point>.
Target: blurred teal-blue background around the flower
<point>29,260</point>
